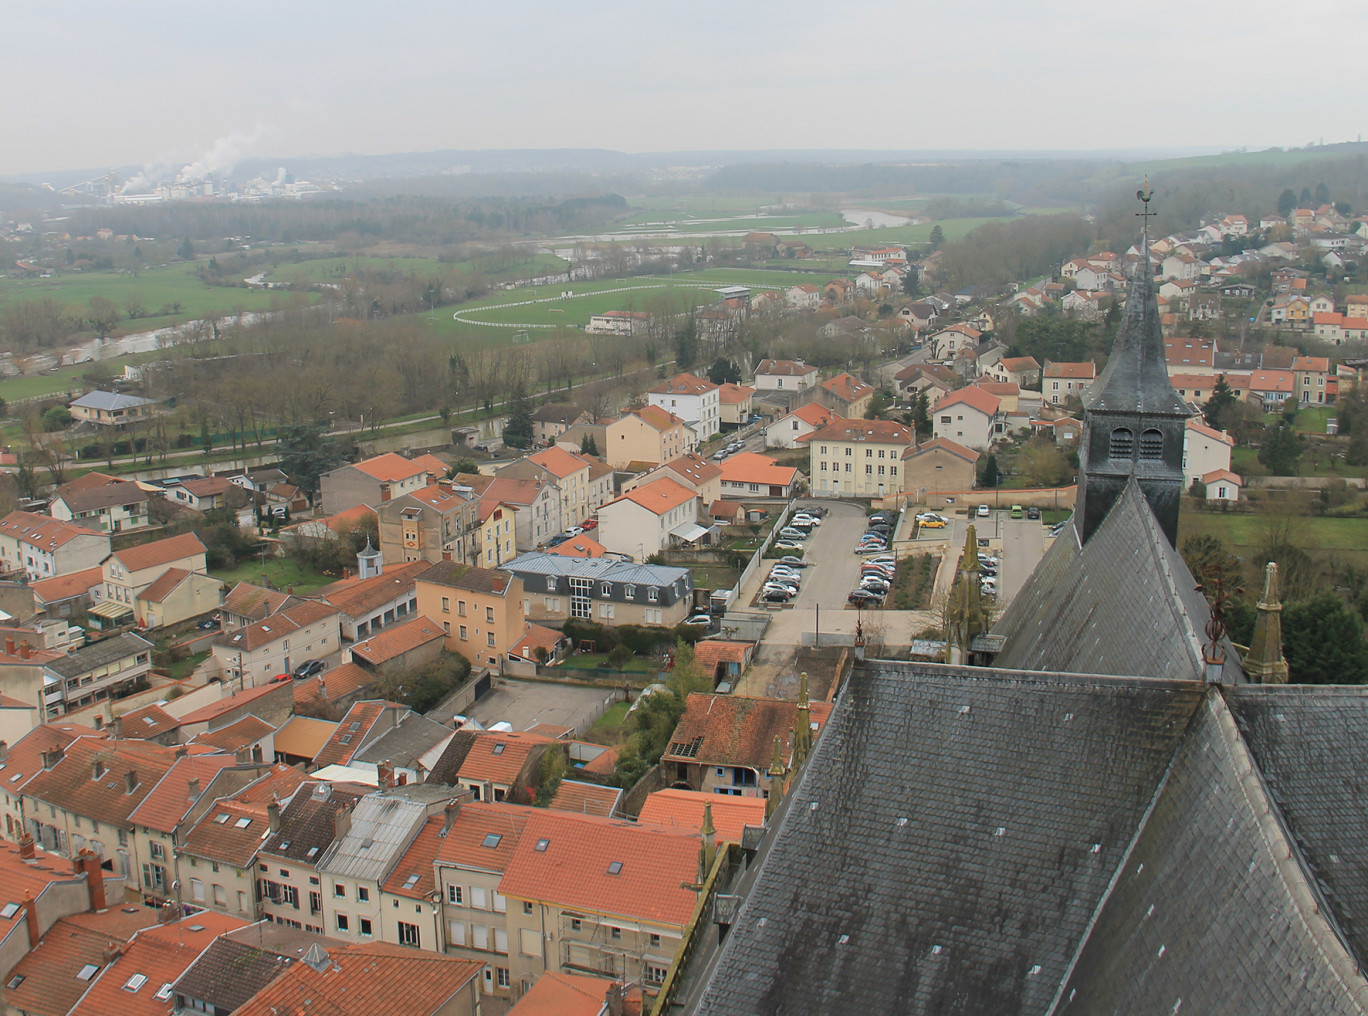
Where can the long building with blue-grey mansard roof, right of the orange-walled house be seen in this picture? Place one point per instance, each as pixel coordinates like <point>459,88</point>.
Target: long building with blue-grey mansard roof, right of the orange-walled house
<point>611,591</point>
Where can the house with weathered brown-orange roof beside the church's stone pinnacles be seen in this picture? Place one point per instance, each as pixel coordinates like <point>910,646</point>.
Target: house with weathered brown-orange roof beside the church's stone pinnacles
<point>726,743</point>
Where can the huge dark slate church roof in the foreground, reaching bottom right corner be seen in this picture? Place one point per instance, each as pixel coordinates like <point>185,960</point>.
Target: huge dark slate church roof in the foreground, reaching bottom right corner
<point>991,842</point>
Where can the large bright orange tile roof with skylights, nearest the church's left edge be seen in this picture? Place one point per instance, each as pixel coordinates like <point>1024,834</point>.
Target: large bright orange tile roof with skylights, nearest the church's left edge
<point>605,866</point>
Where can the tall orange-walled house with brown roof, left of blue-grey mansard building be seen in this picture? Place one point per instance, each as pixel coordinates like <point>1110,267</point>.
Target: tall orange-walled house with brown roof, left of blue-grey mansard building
<point>481,611</point>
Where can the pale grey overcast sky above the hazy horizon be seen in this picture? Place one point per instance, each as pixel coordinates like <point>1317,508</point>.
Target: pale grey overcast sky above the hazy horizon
<point>122,83</point>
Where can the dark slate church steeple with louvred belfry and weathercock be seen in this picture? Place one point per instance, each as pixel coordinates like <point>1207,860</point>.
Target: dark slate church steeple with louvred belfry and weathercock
<point>1133,419</point>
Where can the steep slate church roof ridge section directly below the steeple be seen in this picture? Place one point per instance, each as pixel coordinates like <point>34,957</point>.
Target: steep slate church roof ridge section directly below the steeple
<point>1124,604</point>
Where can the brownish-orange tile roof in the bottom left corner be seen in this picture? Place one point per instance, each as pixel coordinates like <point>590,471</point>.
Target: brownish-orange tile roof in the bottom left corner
<point>49,984</point>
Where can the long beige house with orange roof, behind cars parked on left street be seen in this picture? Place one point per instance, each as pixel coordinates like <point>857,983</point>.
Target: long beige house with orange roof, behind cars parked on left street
<point>255,654</point>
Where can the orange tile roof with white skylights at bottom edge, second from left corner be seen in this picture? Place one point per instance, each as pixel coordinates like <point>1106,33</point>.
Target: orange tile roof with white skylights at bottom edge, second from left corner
<point>159,955</point>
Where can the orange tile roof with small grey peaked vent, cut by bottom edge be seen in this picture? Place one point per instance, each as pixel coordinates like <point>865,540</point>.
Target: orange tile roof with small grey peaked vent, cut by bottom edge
<point>366,980</point>
